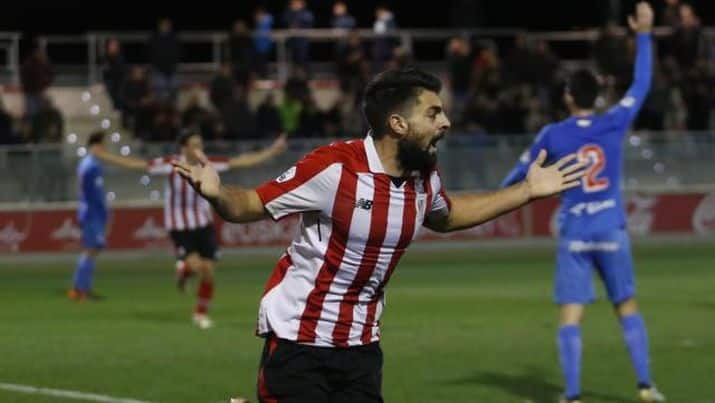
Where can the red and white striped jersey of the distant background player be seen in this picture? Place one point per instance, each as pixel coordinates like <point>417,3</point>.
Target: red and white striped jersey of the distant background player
<point>184,209</point>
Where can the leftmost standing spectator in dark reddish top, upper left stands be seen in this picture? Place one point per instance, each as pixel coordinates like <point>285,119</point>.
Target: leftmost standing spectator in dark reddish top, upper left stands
<point>36,75</point>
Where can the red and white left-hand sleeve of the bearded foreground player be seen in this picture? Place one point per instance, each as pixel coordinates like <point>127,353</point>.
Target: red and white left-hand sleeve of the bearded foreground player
<point>309,185</point>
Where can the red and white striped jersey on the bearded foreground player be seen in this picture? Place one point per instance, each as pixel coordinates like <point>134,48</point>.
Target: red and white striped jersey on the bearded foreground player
<point>356,222</point>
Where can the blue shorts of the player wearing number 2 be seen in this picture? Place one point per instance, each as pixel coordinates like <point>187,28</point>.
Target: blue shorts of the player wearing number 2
<point>609,254</point>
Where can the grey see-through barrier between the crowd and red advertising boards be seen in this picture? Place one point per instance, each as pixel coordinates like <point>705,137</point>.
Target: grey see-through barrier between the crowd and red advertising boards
<point>652,161</point>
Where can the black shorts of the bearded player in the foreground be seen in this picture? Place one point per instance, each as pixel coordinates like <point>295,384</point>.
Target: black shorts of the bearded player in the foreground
<point>297,373</point>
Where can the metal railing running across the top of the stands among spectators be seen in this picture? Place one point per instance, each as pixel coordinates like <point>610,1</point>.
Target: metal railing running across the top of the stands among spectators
<point>94,45</point>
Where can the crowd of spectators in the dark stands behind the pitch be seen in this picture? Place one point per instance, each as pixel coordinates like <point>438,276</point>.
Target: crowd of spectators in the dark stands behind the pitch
<point>494,88</point>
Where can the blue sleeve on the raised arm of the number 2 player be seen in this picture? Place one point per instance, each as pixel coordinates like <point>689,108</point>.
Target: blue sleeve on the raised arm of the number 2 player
<point>630,104</point>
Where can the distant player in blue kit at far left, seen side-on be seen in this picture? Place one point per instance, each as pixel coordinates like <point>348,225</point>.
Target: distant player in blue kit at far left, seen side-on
<point>92,215</point>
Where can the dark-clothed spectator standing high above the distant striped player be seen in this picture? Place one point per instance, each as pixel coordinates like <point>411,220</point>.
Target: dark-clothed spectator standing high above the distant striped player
<point>164,56</point>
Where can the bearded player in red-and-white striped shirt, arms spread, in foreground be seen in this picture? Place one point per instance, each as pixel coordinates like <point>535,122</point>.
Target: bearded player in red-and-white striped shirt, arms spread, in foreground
<point>361,204</point>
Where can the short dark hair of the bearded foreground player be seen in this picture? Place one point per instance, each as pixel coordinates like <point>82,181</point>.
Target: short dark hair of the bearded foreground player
<point>391,91</point>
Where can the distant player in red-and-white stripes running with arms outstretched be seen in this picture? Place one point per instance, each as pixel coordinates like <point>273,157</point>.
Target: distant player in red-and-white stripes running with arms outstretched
<point>188,217</point>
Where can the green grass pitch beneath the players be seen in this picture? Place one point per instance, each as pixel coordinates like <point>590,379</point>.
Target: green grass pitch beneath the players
<point>460,325</point>
